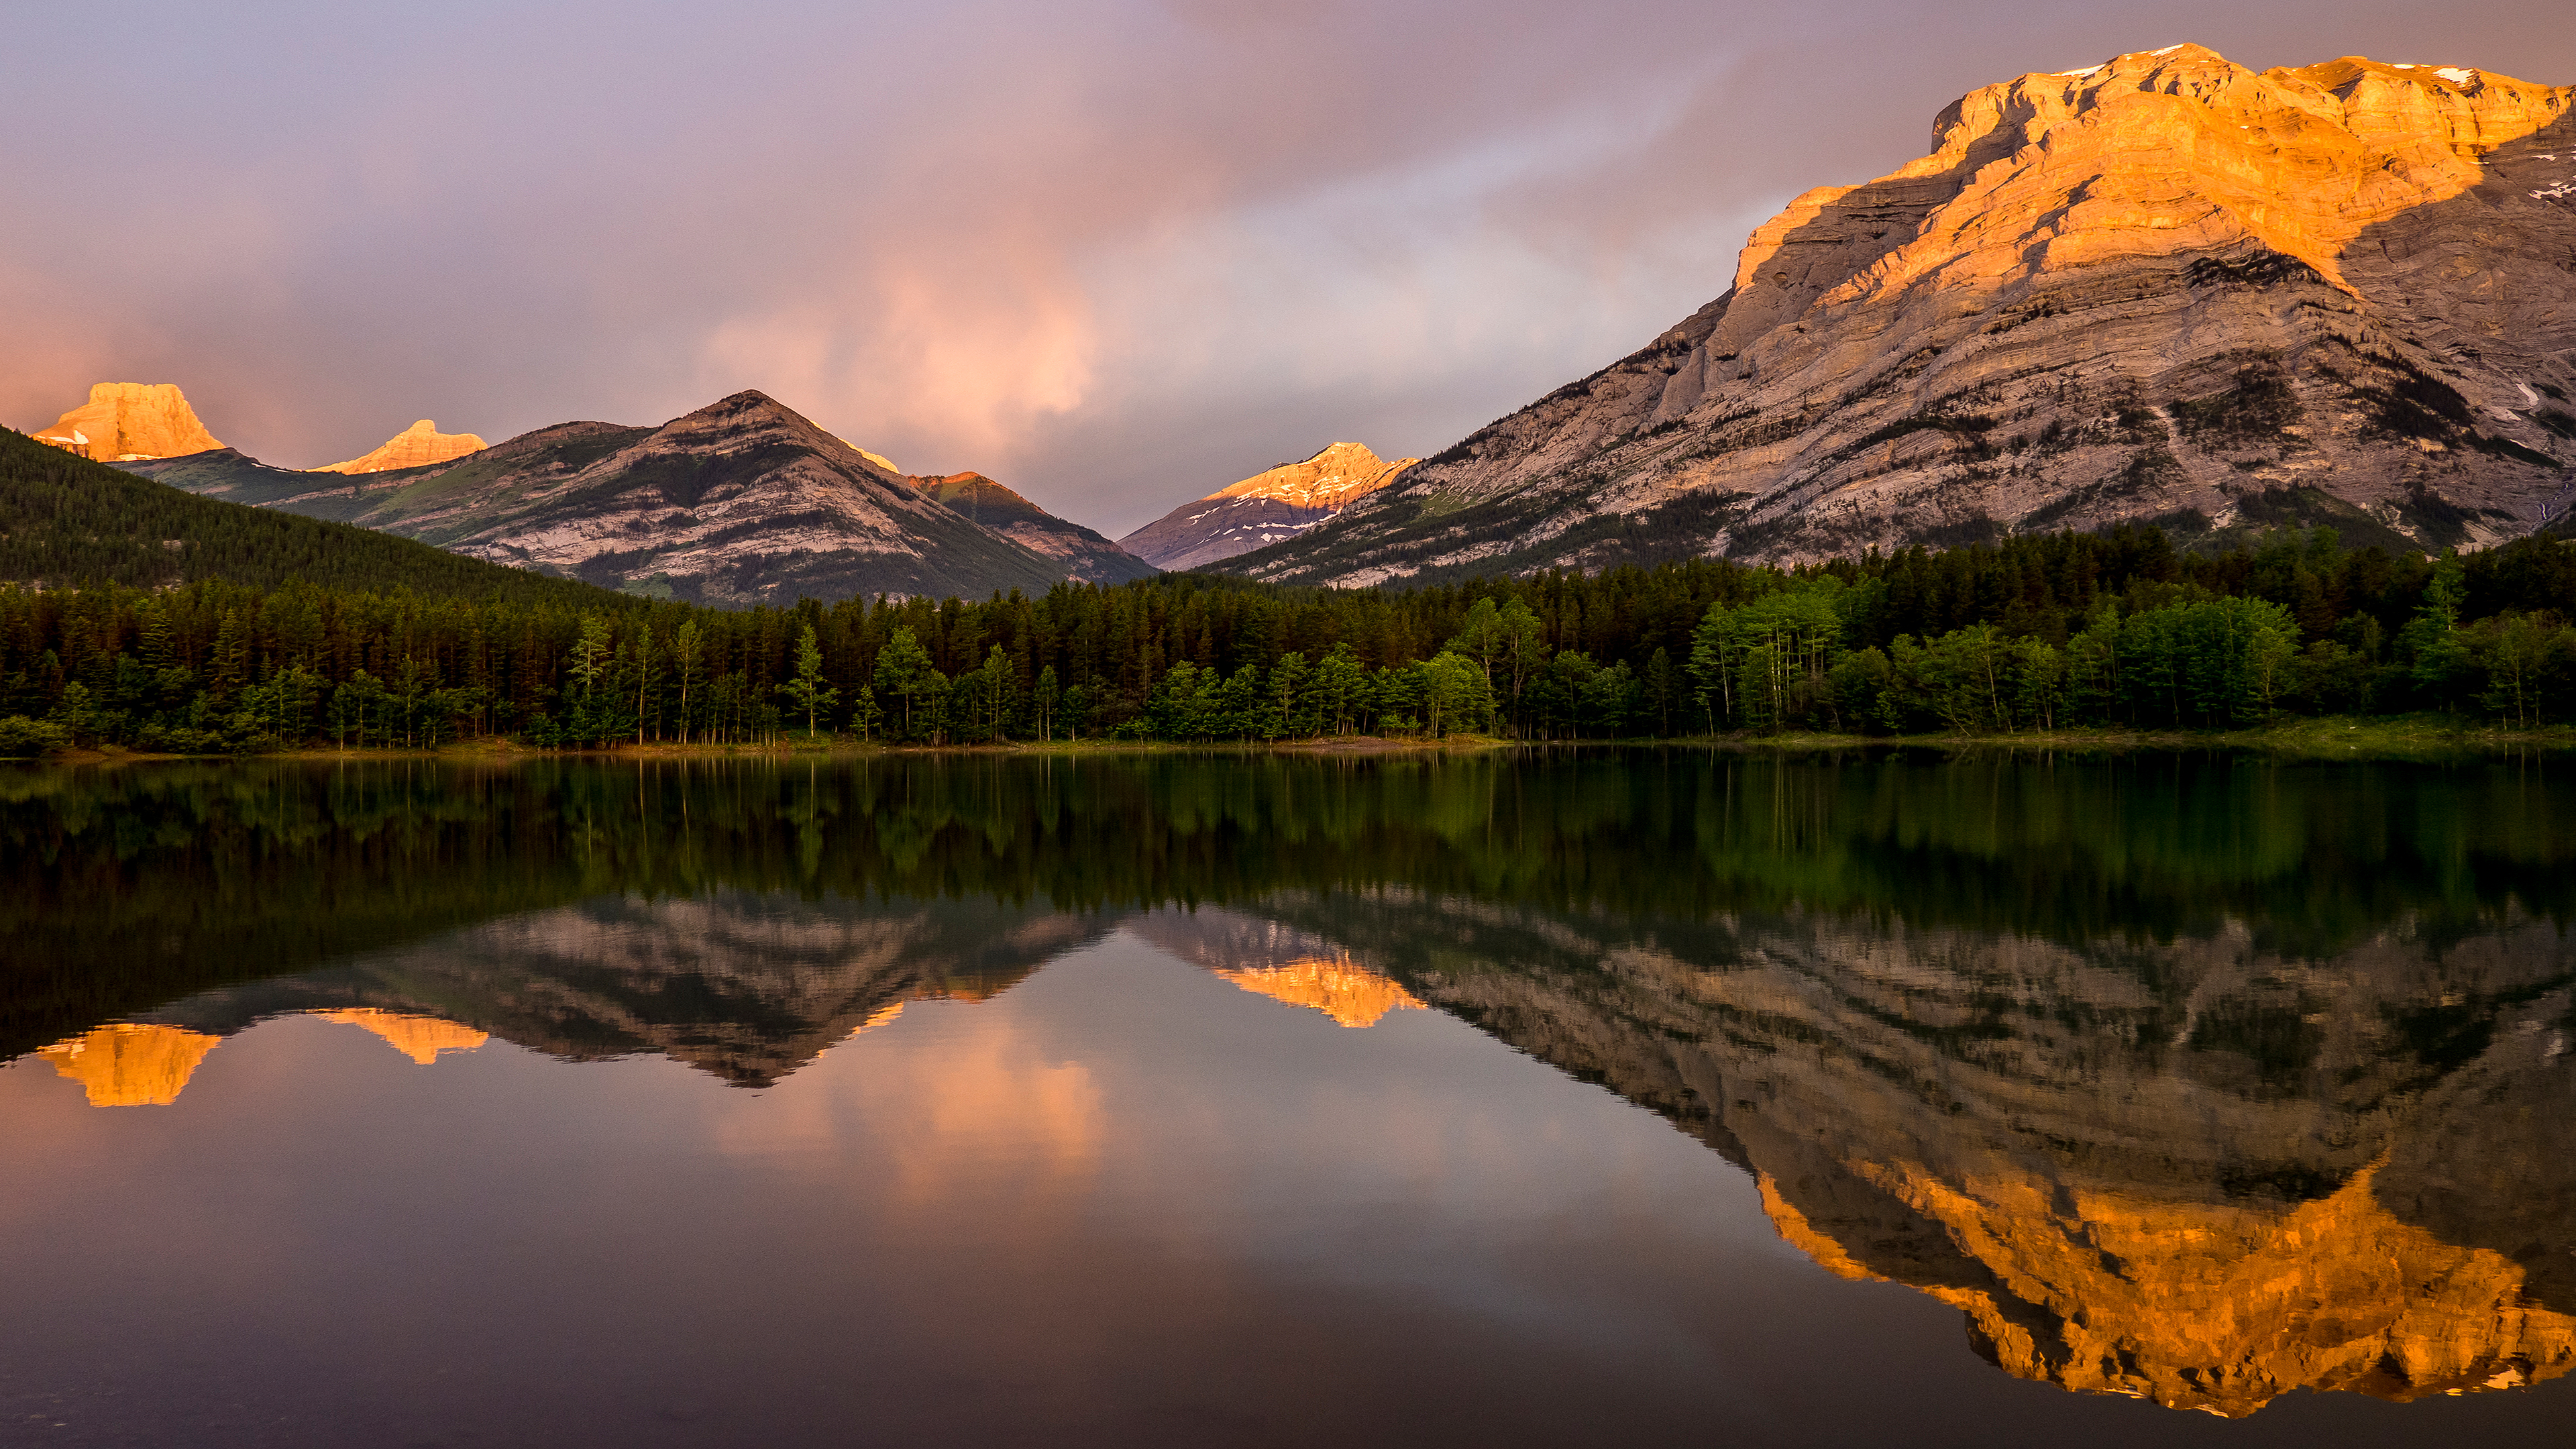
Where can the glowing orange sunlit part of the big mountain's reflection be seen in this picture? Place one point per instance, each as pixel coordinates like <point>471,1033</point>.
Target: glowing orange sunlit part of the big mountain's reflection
<point>2222,1308</point>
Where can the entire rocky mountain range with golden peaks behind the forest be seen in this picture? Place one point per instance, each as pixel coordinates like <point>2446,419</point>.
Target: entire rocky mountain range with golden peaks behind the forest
<point>2160,290</point>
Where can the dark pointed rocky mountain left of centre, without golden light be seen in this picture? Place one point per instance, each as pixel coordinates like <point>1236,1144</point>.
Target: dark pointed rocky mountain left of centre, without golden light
<point>735,504</point>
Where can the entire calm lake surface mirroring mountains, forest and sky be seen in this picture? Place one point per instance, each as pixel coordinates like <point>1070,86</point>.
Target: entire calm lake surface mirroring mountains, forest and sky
<point>1570,1100</point>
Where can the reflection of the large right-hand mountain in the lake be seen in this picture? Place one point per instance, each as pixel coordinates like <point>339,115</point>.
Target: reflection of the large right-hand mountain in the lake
<point>2199,1174</point>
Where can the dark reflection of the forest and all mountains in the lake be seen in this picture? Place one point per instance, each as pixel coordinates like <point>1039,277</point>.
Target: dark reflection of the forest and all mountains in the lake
<point>2183,1079</point>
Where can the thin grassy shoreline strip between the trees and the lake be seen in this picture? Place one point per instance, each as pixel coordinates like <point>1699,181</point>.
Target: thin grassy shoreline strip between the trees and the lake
<point>2340,739</point>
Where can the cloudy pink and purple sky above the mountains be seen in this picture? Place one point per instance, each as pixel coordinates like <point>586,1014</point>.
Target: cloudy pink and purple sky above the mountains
<point>1112,254</point>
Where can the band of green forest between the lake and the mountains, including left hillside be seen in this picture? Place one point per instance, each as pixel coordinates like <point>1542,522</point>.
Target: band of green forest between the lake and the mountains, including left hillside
<point>169,623</point>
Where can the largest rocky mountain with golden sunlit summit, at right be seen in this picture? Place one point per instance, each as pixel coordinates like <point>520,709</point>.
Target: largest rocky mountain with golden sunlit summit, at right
<point>2152,290</point>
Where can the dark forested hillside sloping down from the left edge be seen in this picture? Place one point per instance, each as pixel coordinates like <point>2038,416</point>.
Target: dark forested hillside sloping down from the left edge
<point>76,522</point>
